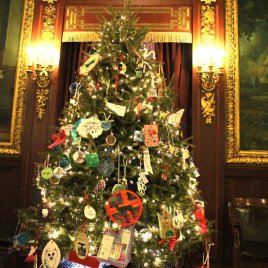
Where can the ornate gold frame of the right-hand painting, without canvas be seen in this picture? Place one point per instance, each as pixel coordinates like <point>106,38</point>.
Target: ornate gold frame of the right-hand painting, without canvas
<point>233,152</point>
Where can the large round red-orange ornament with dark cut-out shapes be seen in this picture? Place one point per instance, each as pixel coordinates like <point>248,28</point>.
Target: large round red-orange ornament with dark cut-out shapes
<point>124,207</point>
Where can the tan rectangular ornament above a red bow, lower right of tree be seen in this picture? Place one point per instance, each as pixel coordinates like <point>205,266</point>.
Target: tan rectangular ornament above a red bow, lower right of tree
<point>166,228</point>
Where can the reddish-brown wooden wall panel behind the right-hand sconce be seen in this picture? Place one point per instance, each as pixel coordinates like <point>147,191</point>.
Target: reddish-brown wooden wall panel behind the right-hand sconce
<point>209,139</point>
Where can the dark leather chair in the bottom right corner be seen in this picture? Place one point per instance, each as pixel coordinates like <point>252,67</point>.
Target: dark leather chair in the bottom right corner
<point>249,221</point>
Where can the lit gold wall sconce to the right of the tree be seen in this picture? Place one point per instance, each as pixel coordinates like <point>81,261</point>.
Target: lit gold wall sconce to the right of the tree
<point>209,73</point>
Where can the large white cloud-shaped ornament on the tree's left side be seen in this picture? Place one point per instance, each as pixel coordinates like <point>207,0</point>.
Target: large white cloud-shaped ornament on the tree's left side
<point>90,127</point>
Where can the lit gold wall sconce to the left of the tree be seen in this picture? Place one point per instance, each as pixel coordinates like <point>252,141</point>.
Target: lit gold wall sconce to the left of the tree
<point>40,72</point>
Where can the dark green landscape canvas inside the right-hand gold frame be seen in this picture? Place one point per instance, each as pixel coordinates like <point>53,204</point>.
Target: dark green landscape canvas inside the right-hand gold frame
<point>253,61</point>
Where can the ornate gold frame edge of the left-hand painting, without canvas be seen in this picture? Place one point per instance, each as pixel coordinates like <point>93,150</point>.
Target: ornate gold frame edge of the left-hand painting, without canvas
<point>12,145</point>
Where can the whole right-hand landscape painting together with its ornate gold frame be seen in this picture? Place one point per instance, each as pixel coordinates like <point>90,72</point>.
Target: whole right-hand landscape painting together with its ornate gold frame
<point>247,81</point>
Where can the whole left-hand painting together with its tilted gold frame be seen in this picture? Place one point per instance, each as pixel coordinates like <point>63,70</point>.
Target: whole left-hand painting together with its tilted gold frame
<point>16,19</point>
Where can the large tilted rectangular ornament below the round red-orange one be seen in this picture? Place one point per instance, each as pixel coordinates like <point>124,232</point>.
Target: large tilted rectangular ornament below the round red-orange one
<point>116,248</point>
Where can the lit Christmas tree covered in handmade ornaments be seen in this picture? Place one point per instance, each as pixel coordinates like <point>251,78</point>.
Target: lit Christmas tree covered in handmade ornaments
<point>118,184</point>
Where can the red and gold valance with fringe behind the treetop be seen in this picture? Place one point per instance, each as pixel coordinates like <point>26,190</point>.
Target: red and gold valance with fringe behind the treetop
<point>168,24</point>
